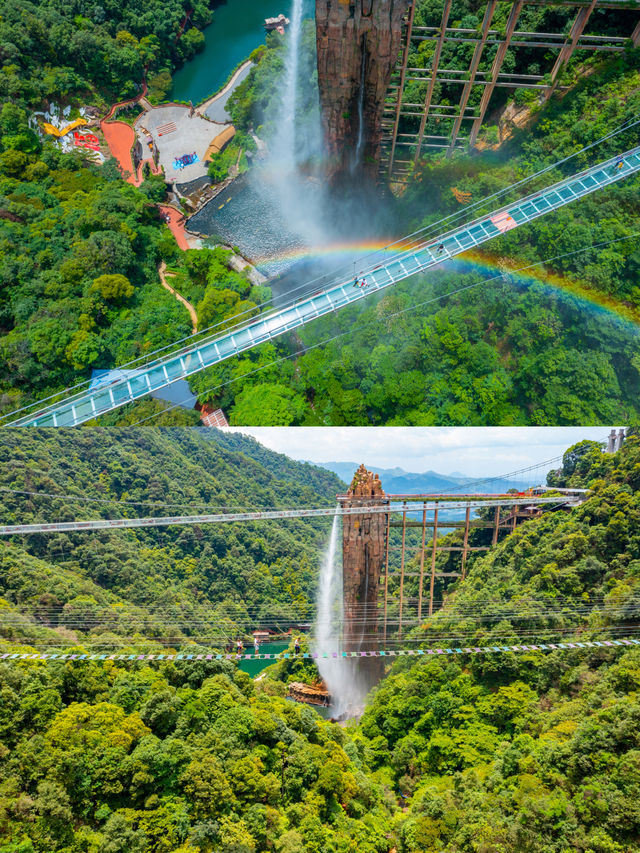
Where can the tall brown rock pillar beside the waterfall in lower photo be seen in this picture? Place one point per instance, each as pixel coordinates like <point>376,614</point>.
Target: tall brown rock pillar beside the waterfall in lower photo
<point>363,555</point>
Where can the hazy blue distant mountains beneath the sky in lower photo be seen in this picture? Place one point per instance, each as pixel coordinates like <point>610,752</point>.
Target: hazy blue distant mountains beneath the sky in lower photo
<point>397,481</point>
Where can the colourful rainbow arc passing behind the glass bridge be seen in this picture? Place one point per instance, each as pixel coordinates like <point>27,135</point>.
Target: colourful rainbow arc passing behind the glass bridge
<point>345,253</point>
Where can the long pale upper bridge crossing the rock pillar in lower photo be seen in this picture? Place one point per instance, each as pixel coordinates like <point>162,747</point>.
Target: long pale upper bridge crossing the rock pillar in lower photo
<point>167,521</point>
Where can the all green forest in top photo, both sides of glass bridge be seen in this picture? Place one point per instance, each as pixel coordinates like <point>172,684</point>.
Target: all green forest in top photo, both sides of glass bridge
<point>80,249</point>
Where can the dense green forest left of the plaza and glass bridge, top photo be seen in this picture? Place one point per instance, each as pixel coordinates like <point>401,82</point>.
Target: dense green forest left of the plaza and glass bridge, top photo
<point>80,247</point>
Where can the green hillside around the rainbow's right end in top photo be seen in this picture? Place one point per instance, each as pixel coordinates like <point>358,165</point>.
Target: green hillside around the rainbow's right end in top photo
<point>556,345</point>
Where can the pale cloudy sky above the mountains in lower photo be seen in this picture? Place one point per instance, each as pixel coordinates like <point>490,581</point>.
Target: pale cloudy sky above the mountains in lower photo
<point>470,451</point>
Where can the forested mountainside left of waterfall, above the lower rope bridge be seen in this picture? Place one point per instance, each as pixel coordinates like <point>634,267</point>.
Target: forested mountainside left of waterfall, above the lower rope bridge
<point>165,582</point>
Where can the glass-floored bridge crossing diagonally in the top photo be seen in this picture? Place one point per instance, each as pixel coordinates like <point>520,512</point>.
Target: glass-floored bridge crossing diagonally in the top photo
<point>211,350</point>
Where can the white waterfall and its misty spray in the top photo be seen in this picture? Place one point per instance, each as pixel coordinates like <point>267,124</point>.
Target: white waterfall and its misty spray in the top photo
<point>284,206</point>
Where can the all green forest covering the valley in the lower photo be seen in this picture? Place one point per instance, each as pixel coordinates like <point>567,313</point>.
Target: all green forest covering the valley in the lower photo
<point>535,751</point>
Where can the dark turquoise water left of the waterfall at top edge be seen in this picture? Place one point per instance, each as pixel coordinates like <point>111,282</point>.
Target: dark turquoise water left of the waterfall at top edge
<point>237,29</point>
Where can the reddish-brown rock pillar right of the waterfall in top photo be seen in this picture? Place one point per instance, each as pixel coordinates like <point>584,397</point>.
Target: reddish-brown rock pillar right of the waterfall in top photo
<point>358,45</point>
